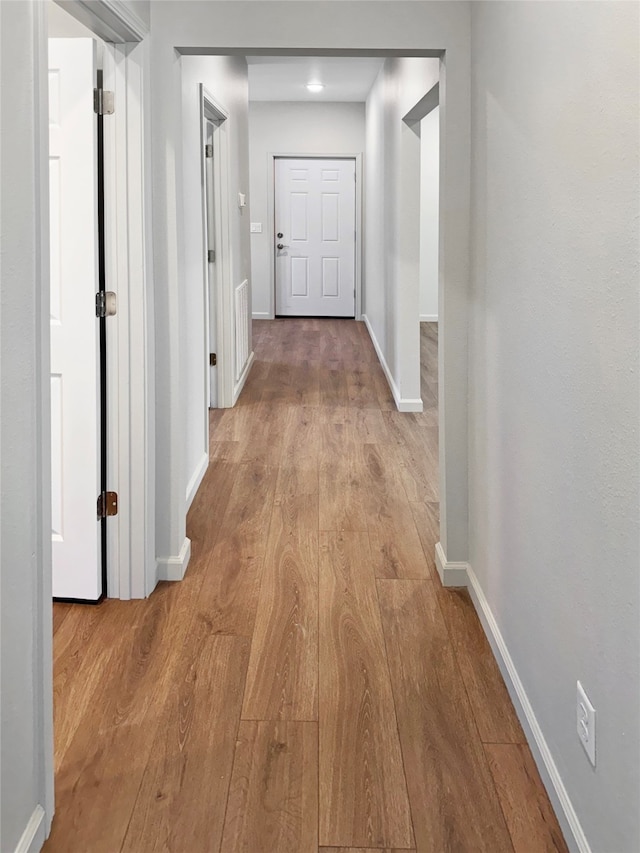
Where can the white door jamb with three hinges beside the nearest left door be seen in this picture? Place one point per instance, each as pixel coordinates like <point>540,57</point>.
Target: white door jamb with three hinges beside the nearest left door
<point>131,539</point>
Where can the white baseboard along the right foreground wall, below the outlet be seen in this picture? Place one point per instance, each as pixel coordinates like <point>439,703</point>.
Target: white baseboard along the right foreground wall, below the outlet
<point>551,779</point>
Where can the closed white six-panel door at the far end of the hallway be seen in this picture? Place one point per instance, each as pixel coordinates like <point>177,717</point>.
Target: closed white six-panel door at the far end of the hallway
<point>315,237</point>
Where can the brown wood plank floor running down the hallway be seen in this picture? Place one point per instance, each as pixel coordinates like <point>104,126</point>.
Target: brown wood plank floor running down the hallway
<point>309,686</point>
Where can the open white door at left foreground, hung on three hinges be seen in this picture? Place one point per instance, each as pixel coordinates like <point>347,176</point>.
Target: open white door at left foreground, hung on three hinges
<point>75,425</point>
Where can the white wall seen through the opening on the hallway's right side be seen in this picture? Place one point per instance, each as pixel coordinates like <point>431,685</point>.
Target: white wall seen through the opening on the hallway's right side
<point>429,213</point>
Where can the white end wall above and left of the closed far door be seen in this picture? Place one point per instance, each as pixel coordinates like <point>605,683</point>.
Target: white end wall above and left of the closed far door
<point>290,128</point>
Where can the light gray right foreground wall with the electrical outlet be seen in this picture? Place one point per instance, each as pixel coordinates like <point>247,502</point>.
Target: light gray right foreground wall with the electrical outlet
<point>553,361</point>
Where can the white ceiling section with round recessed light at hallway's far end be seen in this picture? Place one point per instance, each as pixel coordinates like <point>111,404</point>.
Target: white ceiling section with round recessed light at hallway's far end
<point>284,78</point>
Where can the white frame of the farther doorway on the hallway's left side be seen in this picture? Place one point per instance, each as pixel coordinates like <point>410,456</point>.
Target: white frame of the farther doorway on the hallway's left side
<point>222,289</point>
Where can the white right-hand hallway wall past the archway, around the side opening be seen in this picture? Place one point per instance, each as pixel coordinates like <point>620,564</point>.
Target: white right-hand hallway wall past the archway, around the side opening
<point>392,253</point>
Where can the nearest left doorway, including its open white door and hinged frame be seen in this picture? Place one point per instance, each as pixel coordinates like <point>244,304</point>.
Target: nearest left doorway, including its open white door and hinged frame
<point>104,453</point>
